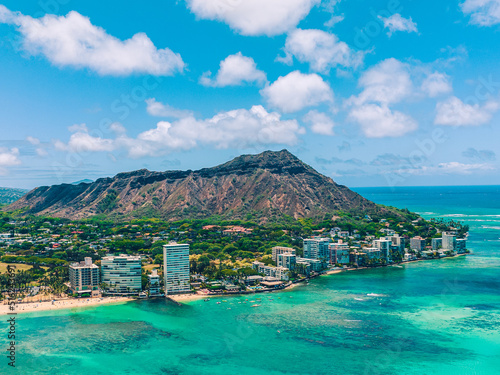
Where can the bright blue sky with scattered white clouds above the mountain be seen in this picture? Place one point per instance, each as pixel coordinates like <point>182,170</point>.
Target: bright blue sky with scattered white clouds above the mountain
<point>370,93</point>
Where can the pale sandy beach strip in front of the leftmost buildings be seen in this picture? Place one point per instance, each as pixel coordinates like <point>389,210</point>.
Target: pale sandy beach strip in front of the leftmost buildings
<point>62,304</point>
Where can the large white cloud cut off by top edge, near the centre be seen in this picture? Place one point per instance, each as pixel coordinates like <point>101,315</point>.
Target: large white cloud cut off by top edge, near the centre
<point>254,17</point>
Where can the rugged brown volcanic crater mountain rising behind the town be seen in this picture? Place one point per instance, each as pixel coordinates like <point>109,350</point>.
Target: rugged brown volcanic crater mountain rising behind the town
<point>268,185</point>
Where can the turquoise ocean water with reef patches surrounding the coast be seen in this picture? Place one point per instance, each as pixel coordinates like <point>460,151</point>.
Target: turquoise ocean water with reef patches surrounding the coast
<point>435,317</point>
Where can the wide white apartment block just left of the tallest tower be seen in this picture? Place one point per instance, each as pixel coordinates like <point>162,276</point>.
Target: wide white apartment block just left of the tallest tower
<point>122,274</point>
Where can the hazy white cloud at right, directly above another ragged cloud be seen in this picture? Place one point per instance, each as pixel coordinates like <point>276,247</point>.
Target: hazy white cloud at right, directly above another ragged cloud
<point>387,82</point>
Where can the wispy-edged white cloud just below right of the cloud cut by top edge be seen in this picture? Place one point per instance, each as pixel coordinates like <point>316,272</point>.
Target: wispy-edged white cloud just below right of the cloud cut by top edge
<point>321,50</point>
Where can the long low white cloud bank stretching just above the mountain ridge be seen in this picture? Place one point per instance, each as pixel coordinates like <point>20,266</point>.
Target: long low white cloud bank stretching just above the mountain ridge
<point>239,128</point>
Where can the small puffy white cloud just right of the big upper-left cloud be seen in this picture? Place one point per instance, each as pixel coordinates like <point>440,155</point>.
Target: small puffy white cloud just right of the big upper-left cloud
<point>234,71</point>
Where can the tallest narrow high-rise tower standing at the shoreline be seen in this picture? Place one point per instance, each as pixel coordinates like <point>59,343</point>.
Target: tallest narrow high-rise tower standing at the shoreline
<point>176,268</point>
